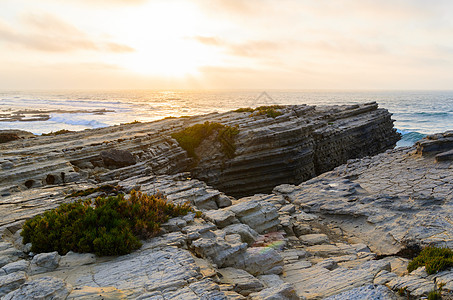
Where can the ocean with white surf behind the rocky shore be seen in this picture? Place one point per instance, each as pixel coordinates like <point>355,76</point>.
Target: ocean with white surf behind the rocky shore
<point>416,113</point>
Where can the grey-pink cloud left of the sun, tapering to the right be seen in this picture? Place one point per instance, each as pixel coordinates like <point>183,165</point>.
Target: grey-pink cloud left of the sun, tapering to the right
<point>45,32</point>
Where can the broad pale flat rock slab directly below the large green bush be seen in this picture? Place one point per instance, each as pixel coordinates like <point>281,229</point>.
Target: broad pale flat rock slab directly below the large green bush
<point>160,271</point>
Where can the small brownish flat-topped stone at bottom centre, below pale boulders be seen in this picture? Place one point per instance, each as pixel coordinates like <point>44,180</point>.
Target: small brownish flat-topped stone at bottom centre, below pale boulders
<point>243,282</point>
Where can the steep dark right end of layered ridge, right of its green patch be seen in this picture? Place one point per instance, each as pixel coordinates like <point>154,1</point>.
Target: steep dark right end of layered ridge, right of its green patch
<point>296,146</point>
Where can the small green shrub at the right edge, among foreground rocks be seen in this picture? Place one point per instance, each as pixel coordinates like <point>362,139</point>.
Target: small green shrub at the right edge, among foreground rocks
<point>434,259</point>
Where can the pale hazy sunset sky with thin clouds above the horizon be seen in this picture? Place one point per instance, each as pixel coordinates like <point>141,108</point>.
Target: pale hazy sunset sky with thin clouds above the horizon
<point>226,44</point>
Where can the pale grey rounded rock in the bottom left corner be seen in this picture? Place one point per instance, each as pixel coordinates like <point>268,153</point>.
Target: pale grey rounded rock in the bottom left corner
<point>41,288</point>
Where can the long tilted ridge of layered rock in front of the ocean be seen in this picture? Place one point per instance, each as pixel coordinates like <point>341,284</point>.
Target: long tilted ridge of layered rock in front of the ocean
<point>298,144</point>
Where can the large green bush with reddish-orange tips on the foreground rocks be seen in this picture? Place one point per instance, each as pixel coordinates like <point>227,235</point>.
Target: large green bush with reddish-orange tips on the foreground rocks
<point>106,226</point>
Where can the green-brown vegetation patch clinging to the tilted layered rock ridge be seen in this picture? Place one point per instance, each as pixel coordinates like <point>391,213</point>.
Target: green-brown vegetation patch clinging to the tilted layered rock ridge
<point>191,137</point>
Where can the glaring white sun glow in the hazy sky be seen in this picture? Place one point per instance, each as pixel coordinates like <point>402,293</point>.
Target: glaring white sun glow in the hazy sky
<point>162,35</point>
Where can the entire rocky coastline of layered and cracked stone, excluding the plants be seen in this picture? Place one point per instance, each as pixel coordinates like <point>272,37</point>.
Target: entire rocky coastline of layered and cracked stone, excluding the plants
<point>315,204</point>
